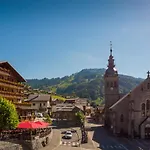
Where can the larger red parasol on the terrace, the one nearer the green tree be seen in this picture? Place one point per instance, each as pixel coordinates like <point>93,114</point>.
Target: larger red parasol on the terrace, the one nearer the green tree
<point>29,125</point>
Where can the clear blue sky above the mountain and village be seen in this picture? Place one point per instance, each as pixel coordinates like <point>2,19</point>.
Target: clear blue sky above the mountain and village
<point>54,38</point>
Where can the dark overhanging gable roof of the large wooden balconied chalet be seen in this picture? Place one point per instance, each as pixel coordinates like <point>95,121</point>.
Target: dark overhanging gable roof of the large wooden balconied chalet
<point>5,64</point>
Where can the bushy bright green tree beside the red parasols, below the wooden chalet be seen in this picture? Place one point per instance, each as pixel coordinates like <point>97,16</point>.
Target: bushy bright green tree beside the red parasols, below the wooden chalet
<point>8,114</point>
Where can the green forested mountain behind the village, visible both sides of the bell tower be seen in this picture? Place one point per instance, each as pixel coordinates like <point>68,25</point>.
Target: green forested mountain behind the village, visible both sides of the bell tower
<point>88,83</point>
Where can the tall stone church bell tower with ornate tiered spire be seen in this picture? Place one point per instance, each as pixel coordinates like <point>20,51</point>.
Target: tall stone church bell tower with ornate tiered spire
<point>111,86</point>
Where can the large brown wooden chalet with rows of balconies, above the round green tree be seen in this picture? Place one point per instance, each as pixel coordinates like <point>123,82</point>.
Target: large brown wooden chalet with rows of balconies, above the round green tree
<point>11,86</point>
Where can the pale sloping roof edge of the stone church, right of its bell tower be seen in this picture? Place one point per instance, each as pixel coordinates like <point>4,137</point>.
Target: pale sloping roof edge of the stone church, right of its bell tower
<point>121,99</point>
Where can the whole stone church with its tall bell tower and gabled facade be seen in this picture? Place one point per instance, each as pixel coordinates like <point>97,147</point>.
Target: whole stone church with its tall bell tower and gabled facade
<point>126,115</point>
